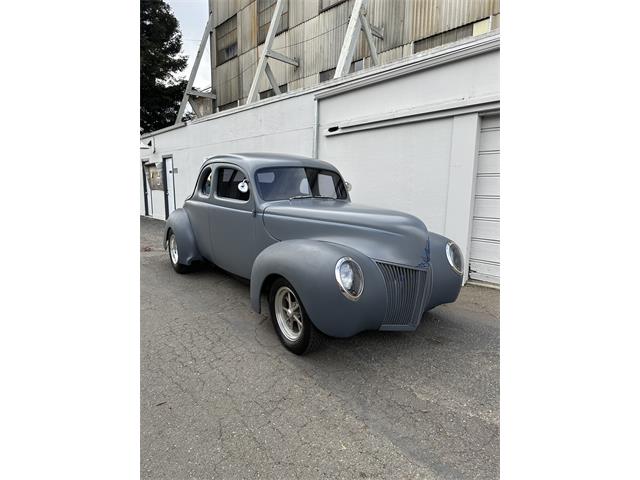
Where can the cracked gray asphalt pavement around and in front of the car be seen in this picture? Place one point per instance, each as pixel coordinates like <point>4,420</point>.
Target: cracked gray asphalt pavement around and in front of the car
<point>221,398</point>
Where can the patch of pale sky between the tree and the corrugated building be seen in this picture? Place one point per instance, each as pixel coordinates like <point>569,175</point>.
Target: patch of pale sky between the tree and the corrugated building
<point>192,15</point>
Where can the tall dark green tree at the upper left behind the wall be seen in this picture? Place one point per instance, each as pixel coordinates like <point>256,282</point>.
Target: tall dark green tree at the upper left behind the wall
<point>160,60</point>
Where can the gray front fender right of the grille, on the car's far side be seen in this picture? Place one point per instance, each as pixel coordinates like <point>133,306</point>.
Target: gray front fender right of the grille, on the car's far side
<point>446,282</point>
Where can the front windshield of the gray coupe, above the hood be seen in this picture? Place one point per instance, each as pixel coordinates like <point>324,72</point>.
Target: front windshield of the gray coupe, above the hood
<point>289,183</point>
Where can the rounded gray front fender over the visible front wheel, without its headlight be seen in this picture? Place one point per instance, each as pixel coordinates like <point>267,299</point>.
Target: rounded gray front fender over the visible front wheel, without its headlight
<point>309,265</point>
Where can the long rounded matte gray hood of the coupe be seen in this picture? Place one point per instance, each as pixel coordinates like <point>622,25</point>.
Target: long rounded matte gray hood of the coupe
<point>385,235</point>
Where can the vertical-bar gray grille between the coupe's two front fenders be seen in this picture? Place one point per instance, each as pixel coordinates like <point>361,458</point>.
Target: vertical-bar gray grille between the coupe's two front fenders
<point>408,290</point>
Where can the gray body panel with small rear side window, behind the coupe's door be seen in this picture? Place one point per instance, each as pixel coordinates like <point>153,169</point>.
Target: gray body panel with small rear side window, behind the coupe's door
<point>198,208</point>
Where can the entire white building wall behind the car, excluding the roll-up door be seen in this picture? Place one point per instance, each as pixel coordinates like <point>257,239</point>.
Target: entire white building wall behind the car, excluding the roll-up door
<point>406,142</point>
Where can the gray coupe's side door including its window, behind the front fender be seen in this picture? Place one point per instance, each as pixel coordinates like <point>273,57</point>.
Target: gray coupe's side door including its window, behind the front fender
<point>232,221</point>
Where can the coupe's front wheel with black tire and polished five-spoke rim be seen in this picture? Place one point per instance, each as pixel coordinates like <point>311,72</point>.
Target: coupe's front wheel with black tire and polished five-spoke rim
<point>290,319</point>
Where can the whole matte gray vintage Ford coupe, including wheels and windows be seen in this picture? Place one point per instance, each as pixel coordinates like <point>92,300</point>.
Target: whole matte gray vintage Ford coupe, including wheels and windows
<point>325,264</point>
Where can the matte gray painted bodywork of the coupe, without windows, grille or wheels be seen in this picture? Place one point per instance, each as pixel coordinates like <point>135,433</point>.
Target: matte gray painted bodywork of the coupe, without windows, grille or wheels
<point>302,240</point>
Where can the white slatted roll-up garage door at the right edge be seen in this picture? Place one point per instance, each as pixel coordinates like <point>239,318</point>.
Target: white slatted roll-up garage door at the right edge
<point>484,259</point>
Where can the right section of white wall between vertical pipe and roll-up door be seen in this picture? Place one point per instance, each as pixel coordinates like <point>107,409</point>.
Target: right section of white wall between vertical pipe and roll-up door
<point>411,143</point>
